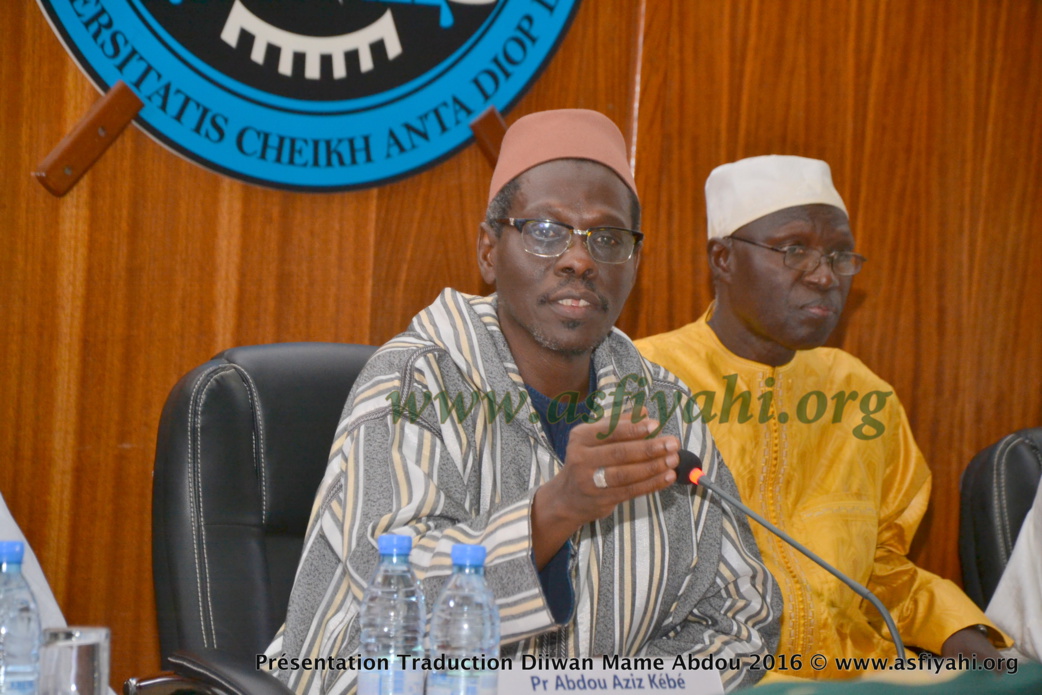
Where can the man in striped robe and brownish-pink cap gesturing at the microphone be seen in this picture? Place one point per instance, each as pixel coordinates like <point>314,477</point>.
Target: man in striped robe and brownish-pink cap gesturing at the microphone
<point>497,420</point>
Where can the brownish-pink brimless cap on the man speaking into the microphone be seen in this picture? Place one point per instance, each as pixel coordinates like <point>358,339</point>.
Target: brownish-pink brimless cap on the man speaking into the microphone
<point>561,135</point>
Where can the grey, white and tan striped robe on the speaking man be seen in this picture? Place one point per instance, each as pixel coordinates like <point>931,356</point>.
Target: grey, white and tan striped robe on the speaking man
<point>439,441</point>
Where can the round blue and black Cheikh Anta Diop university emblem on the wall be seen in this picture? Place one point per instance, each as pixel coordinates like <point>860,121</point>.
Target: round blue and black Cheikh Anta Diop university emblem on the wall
<point>314,95</point>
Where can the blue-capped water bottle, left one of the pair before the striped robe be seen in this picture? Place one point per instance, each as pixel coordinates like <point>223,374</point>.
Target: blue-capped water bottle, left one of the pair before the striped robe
<point>392,617</point>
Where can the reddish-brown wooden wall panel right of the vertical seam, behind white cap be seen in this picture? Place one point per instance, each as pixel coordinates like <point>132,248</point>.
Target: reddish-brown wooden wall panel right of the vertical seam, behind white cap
<point>930,114</point>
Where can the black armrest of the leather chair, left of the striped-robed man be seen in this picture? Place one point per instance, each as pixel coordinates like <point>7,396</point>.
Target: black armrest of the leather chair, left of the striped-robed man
<point>209,673</point>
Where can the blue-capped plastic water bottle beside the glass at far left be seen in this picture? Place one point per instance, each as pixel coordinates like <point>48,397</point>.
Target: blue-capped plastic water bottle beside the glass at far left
<point>19,626</point>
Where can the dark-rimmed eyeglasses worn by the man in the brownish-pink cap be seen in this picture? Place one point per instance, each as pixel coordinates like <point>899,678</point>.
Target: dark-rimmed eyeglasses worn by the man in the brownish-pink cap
<point>551,240</point>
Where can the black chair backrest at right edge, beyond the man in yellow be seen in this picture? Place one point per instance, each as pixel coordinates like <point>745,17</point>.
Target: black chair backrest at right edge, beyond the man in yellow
<point>997,491</point>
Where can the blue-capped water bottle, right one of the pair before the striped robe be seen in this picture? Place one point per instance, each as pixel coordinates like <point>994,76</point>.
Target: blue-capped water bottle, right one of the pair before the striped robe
<point>465,630</point>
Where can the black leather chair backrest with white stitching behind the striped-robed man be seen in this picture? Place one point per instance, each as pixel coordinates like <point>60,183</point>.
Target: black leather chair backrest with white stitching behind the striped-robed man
<point>243,444</point>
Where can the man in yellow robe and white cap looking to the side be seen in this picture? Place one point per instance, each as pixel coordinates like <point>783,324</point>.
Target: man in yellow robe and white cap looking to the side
<point>817,443</point>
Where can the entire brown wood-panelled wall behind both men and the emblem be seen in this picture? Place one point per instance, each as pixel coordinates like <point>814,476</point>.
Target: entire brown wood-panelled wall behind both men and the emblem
<point>929,112</point>
